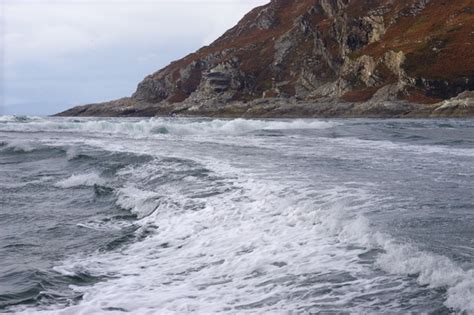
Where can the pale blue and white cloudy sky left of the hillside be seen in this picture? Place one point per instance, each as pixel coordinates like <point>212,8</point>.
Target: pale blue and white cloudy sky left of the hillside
<point>55,54</point>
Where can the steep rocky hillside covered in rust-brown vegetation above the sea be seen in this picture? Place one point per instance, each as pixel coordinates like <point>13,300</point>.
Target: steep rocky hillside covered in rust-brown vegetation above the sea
<point>321,58</point>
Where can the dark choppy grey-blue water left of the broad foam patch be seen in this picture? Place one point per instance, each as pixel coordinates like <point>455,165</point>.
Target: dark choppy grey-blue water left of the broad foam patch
<point>78,178</point>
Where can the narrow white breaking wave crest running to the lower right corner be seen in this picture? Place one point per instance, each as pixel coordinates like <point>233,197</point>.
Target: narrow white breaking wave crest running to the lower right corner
<point>430,269</point>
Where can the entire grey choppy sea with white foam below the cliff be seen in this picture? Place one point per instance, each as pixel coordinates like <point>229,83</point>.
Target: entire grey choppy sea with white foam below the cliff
<point>173,216</point>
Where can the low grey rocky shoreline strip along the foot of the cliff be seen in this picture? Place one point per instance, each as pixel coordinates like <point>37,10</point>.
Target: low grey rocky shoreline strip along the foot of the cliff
<point>459,107</point>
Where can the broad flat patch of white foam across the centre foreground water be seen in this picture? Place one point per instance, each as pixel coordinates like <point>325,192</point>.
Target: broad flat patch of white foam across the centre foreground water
<point>232,252</point>
